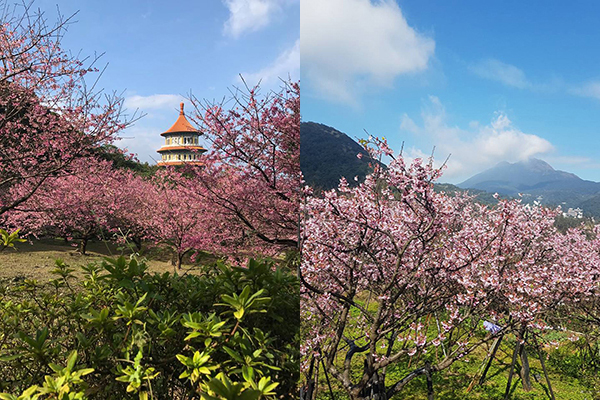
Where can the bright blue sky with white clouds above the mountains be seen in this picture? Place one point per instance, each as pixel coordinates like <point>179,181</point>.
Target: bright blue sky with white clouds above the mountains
<point>483,82</point>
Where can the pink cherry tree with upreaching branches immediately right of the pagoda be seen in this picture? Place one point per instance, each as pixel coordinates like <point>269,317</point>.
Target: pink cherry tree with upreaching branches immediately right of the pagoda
<point>251,176</point>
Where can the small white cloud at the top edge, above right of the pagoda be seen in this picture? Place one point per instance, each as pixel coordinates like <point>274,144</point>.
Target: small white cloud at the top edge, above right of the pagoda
<point>250,15</point>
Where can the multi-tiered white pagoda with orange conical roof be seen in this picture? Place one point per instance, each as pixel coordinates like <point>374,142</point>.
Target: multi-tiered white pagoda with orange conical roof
<point>181,143</point>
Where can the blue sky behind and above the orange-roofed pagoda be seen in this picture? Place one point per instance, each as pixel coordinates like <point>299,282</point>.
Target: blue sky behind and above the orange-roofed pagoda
<point>159,51</point>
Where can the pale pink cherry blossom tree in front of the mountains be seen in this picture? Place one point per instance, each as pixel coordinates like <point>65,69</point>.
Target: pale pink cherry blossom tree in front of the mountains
<point>394,272</point>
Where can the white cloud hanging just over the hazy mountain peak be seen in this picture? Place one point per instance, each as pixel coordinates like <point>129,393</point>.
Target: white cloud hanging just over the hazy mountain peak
<point>473,150</point>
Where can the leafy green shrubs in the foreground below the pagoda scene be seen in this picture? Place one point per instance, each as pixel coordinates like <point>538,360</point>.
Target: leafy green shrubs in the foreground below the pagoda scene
<point>228,333</point>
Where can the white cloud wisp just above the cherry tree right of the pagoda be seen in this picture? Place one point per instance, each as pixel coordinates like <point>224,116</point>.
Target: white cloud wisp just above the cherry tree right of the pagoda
<point>286,65</point>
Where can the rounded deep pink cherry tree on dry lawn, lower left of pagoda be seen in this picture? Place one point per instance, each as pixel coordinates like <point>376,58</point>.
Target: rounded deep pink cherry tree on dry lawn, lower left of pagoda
<point>93,200</point>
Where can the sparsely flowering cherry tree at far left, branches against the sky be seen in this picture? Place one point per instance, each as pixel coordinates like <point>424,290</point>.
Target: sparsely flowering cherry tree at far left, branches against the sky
<point>49,115</point>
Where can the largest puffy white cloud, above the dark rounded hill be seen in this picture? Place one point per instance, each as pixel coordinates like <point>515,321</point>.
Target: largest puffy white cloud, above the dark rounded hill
<point>344,42</point>
